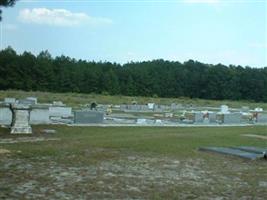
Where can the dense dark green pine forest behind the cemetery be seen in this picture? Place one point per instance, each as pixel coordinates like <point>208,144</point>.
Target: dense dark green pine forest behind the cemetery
<point>152,78</point>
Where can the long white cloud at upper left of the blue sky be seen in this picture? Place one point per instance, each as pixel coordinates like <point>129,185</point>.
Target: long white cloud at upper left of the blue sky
<point>59,17</point>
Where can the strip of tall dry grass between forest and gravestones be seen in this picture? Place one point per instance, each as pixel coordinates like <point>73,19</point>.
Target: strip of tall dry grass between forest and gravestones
<point>76,99</point>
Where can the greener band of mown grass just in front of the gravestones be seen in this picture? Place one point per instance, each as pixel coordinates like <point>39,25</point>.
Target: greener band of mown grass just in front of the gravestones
<point>178,142</point>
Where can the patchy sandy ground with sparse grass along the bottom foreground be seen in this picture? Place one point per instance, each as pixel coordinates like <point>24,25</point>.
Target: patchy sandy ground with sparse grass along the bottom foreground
<point>130,176</point>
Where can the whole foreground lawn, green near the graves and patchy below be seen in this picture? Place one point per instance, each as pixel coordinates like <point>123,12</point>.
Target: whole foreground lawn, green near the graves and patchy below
<point>132,163</point>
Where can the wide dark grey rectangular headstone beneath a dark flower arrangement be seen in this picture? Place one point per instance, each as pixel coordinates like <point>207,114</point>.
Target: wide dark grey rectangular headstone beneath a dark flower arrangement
<point>87,117</point>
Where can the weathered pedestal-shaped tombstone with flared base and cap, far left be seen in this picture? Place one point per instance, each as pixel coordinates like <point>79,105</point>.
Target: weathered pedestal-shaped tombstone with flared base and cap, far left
<point>20,120</point>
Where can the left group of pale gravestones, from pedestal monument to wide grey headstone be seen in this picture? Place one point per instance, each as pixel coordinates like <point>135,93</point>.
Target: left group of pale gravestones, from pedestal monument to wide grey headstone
<point>20,114</point>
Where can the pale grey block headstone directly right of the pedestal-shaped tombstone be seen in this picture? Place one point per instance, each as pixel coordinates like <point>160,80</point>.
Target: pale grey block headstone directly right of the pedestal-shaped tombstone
<point>39,115</point>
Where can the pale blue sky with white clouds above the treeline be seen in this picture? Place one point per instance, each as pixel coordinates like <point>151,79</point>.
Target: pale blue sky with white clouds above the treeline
<point>210,31</point>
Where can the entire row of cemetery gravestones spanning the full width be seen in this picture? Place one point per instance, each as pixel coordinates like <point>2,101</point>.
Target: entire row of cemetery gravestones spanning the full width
<point>20,114</point>
